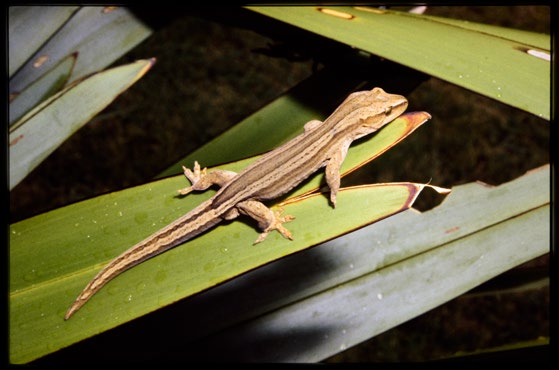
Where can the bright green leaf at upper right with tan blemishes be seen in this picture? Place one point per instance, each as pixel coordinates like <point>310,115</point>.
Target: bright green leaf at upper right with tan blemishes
<point>492,61</point>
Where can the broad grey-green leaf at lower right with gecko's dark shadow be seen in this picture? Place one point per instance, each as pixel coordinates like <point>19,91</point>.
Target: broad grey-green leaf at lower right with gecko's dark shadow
<point>310,306</point>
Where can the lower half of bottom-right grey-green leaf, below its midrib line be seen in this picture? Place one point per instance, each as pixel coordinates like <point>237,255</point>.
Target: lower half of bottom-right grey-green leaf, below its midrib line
<point>360,309</point>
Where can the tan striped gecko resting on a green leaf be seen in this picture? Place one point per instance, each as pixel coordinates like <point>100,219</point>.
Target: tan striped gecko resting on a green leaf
<point>322,144</point>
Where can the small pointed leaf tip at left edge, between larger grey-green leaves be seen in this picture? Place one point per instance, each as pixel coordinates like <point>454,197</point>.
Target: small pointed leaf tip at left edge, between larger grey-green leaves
<point>47,85</point>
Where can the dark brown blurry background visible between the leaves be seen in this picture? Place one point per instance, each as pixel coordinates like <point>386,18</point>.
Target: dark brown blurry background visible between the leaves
<point>209,76</point>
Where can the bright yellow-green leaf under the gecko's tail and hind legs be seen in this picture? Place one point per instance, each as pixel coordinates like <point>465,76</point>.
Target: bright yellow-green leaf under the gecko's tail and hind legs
<point>55,254</point>
